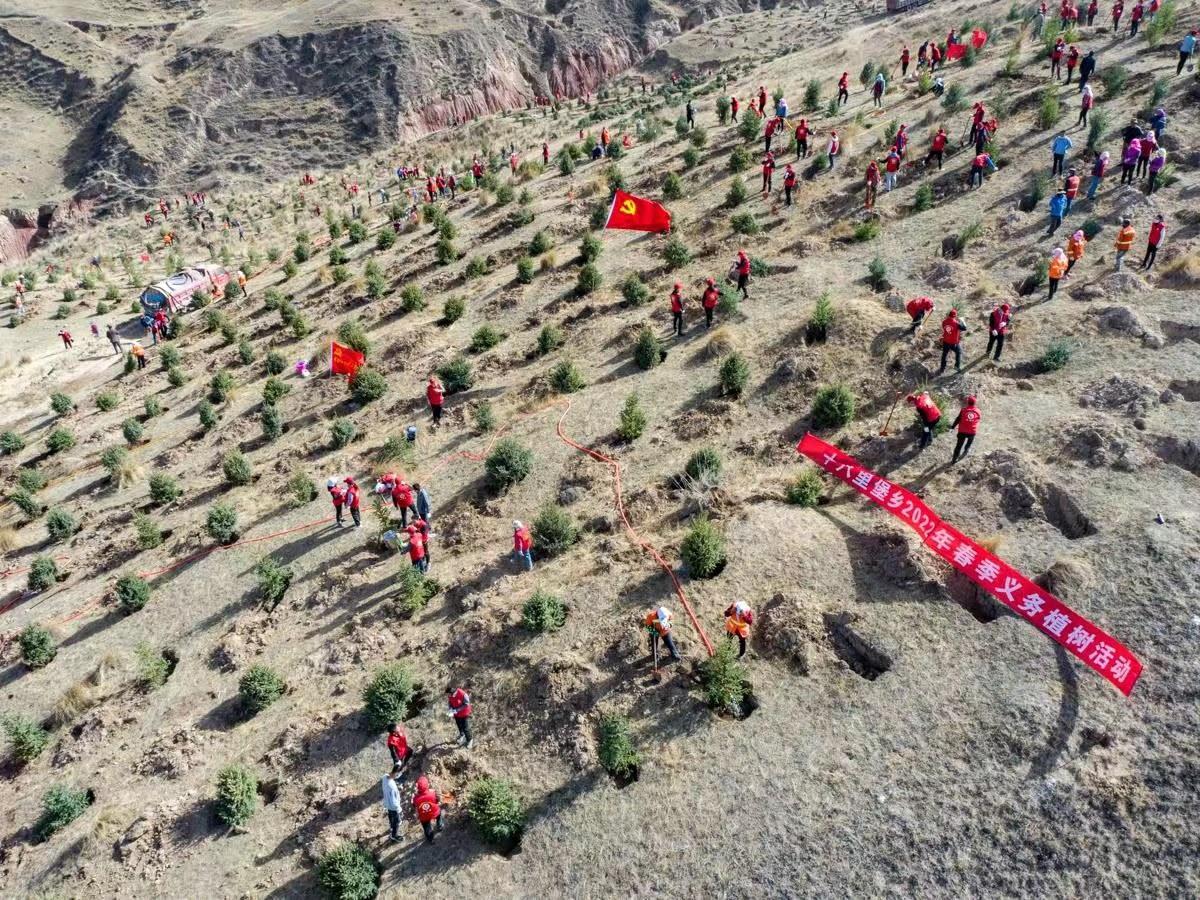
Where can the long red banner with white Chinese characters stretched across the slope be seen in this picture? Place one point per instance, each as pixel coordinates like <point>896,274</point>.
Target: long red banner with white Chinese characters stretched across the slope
<point>1031,602</point>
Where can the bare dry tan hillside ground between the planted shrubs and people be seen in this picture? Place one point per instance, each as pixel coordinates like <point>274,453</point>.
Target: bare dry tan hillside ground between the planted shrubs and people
<point>979,761</point>
